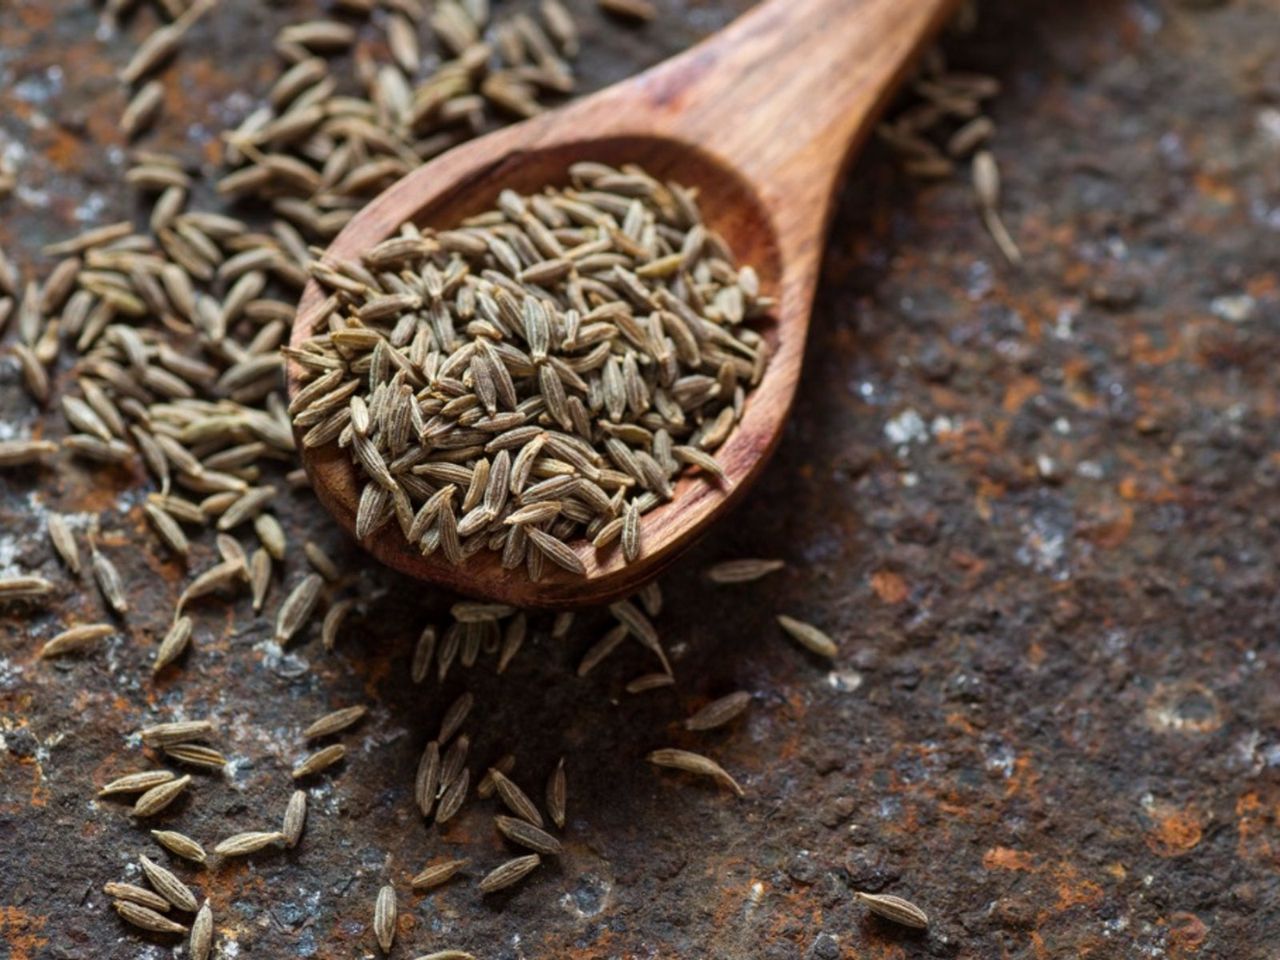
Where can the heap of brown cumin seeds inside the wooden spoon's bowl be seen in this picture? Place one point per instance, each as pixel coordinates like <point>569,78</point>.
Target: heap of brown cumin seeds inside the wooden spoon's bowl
<point>538,374</point>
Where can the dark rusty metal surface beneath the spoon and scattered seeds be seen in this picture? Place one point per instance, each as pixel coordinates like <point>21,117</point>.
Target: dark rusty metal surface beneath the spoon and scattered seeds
<point>1039,511</point>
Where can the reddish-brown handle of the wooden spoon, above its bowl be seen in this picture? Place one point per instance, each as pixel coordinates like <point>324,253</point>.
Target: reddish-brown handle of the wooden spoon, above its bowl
<point>789,90</point>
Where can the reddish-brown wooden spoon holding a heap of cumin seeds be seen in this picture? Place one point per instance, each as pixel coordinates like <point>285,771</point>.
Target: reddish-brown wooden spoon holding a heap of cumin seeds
<point>762,120</point>
